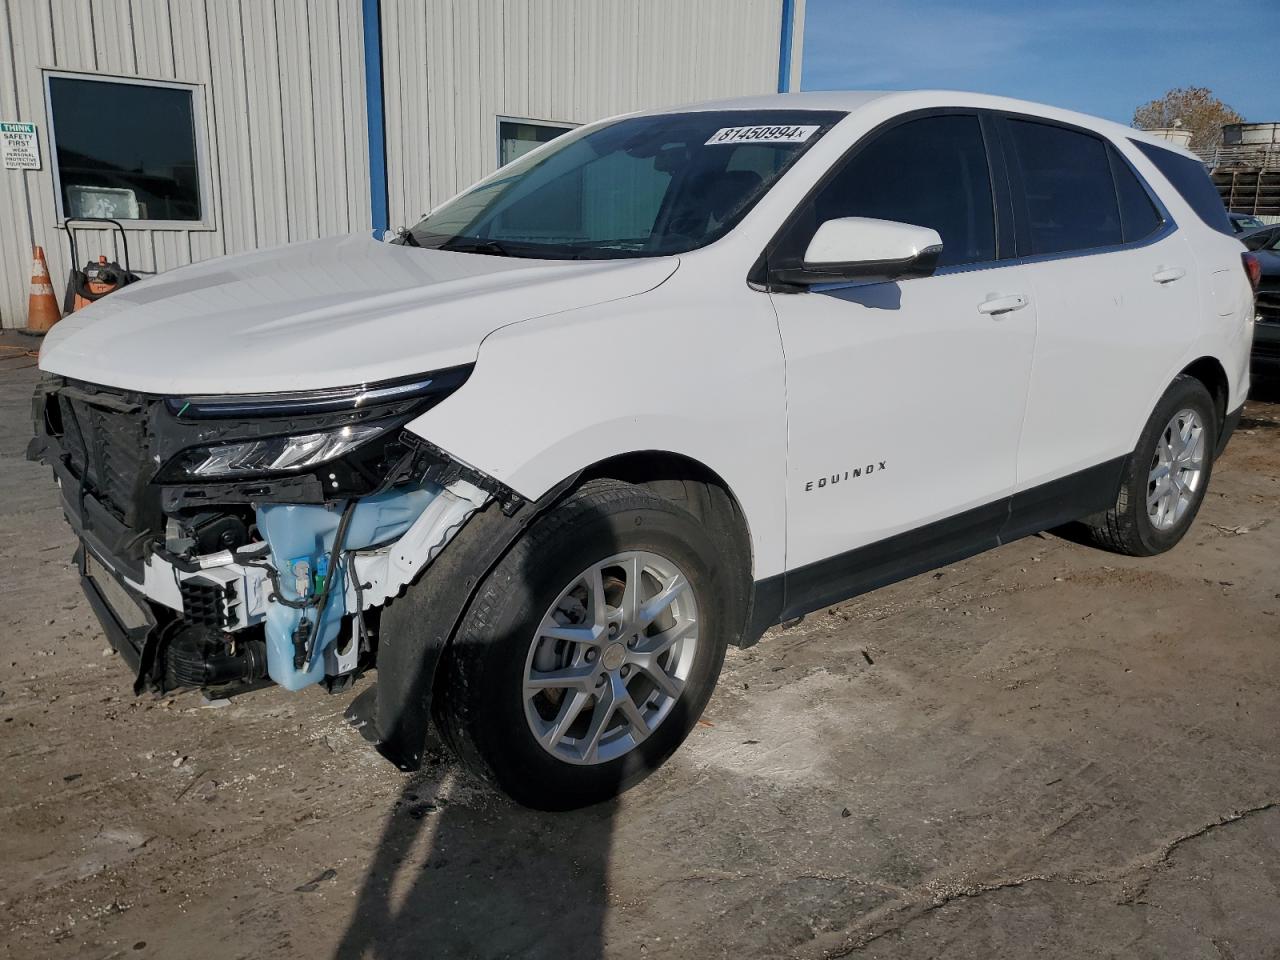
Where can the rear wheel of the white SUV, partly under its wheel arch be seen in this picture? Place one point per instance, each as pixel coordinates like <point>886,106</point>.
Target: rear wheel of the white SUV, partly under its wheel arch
<point>1167,477</point>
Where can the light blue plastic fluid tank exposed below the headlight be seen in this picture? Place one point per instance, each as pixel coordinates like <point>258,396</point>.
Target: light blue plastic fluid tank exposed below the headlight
<point>307,532</point>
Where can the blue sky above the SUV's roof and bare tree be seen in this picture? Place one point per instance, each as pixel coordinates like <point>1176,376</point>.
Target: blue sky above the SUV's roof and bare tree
<point>1092,56</point>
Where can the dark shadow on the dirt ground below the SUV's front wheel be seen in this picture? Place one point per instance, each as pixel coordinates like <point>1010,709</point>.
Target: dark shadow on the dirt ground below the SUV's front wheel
<point>463,872</point>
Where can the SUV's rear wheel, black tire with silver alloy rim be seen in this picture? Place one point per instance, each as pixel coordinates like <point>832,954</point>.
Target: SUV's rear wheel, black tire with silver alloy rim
<point>1130,527</point>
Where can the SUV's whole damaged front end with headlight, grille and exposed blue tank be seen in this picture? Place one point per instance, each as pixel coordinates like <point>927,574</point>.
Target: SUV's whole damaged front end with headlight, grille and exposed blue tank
<point>227,541</point>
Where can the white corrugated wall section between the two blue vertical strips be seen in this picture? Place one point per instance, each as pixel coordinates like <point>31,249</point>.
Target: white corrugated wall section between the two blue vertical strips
<point>455,66</point>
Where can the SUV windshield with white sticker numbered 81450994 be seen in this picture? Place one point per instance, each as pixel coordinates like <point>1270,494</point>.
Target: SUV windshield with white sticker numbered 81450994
<point>646,186</point>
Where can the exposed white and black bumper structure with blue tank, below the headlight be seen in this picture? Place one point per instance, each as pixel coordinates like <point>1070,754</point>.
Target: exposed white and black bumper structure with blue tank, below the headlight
<point>235,592</point>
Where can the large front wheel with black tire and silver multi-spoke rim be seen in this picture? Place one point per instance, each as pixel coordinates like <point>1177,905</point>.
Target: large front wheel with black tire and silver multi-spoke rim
<point>484,707</point>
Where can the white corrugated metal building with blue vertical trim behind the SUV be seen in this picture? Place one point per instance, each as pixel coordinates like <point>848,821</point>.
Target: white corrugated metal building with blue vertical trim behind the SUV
<point>281,108</point>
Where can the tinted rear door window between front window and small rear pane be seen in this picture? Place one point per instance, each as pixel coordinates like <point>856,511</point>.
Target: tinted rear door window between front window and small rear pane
<point>1067,180</point>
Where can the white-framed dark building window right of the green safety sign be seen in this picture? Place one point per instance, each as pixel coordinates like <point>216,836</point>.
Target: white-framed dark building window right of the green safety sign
<point>126,149</point>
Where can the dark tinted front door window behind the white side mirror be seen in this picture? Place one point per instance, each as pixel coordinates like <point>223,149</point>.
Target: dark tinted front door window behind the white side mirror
<point>931,173</point>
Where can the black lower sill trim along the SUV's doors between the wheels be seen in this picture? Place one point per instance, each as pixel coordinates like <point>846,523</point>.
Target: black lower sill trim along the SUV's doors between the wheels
<point>949,541</point>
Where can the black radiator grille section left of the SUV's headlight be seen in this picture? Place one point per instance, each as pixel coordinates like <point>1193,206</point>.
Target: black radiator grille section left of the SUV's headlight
<point>108,447</point>
